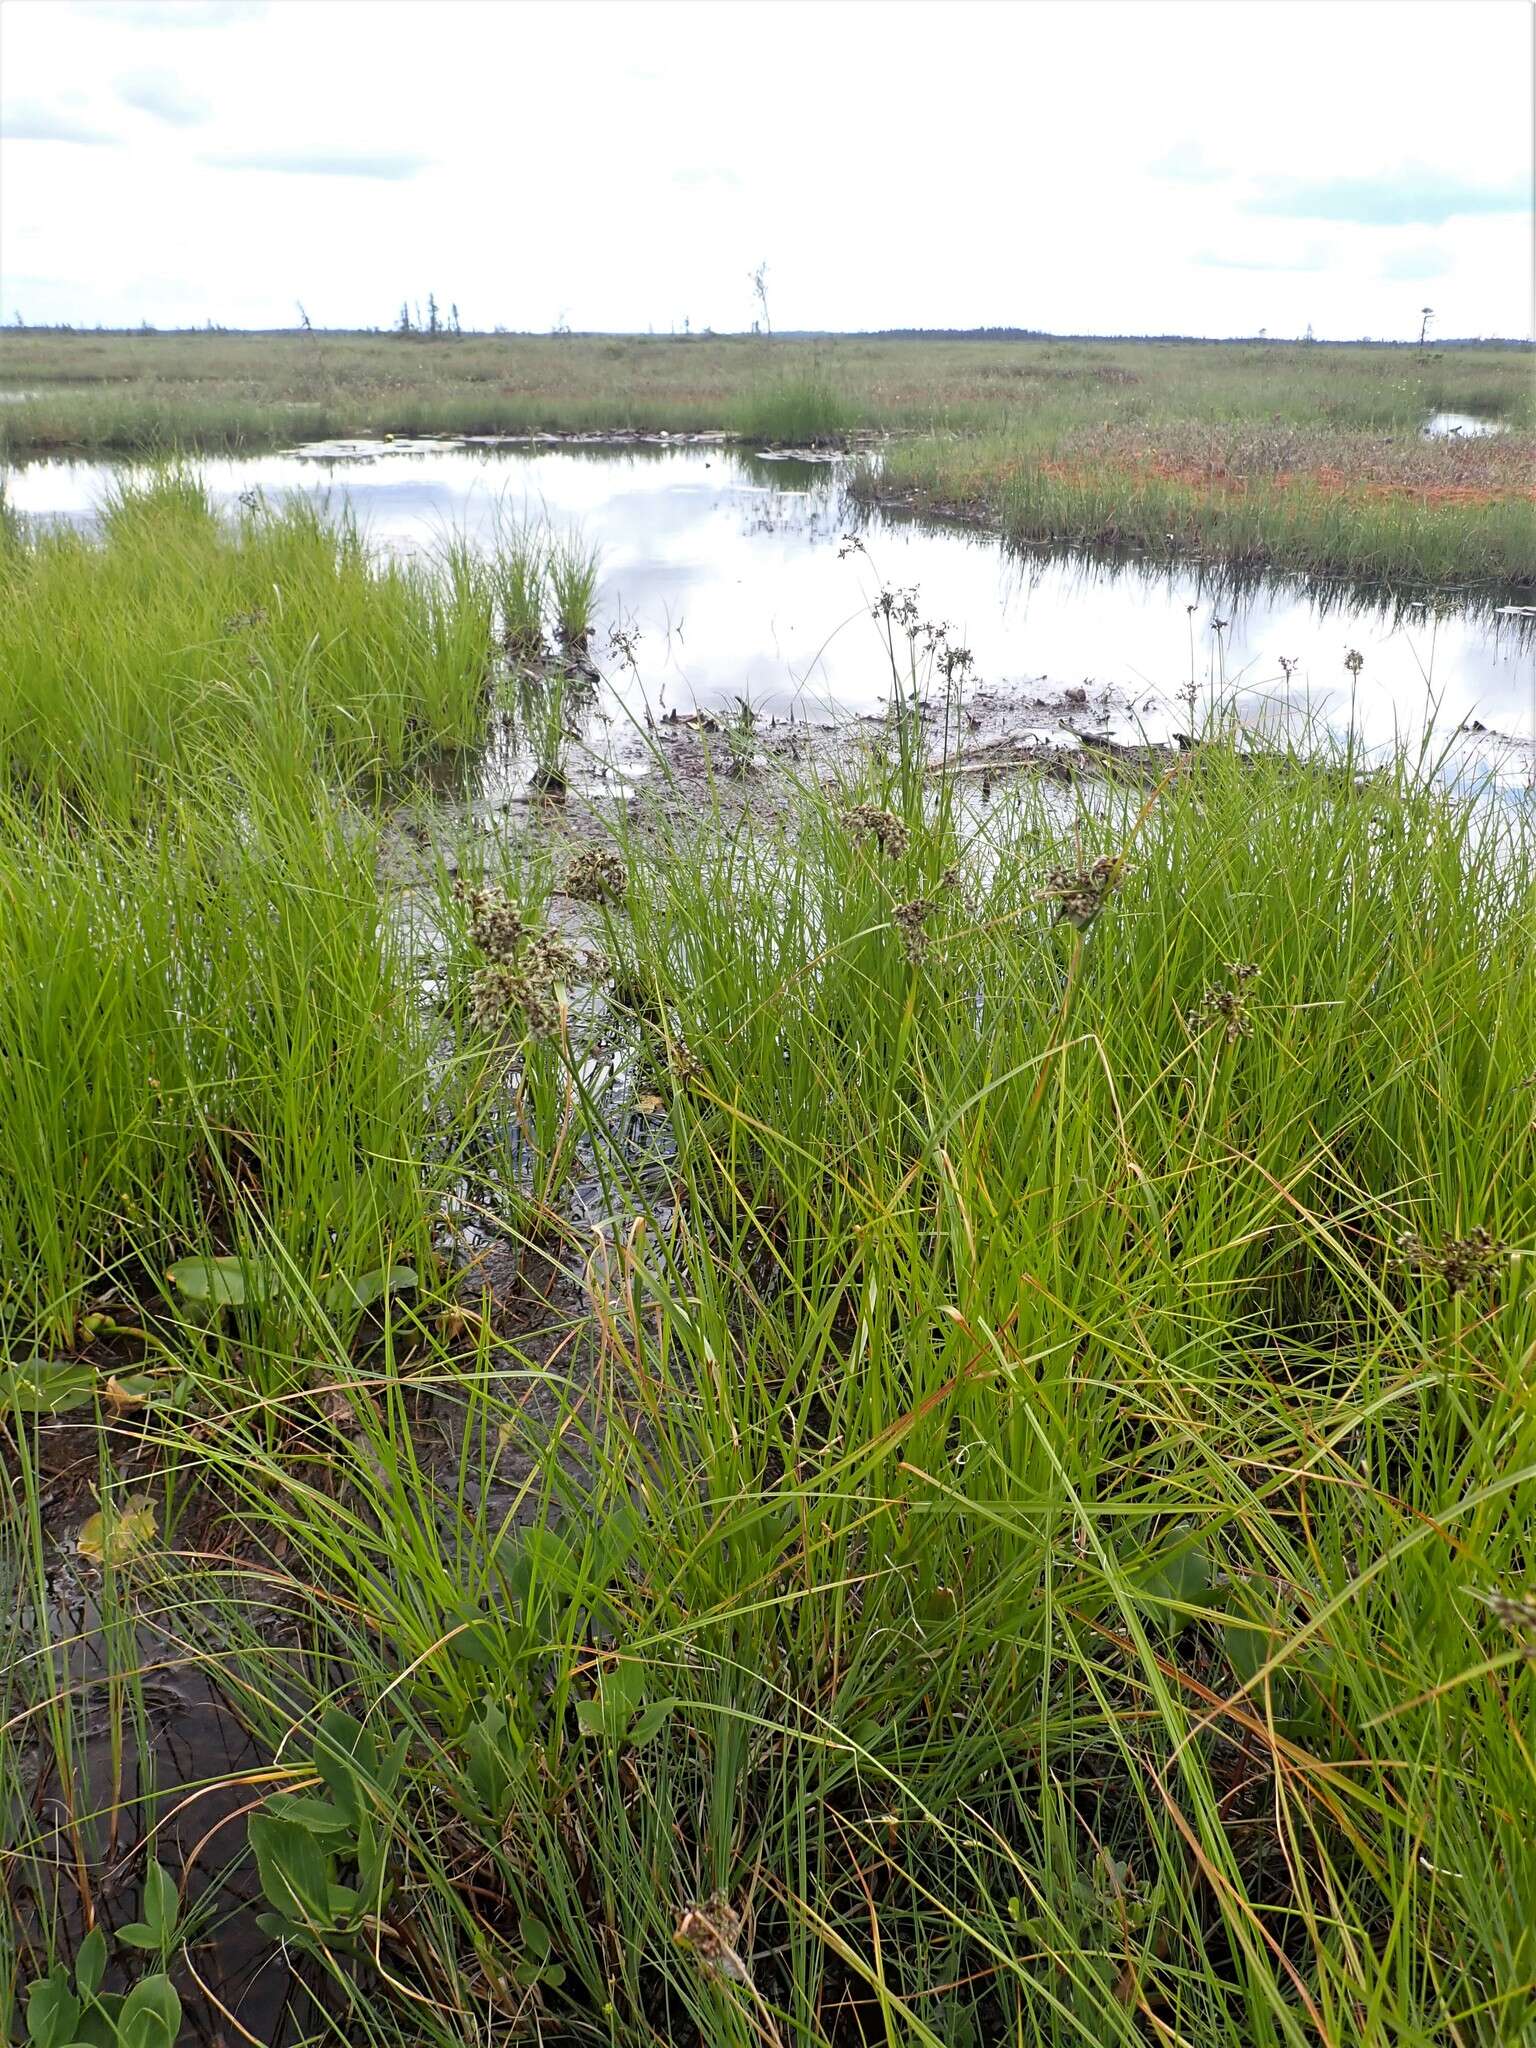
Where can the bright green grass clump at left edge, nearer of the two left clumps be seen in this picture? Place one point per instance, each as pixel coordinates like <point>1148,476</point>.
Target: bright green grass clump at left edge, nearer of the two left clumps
<point>218,1050</point>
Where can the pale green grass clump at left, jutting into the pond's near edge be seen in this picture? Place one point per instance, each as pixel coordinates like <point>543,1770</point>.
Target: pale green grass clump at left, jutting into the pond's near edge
<point>173,636</point>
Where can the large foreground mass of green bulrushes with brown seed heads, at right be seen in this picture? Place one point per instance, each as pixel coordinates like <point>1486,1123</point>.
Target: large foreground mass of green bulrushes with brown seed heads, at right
<point>988,1562</point>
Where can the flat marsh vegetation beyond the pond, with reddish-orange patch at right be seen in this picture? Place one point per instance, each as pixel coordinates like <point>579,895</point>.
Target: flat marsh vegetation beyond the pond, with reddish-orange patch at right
<point>1265,456</point>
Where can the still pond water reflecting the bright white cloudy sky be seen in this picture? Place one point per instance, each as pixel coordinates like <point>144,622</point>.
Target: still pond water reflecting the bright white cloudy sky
<point>732,572</point>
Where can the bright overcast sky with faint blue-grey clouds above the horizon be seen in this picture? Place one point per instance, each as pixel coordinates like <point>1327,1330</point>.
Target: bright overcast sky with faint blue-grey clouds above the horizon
<point>1095,167</point>
